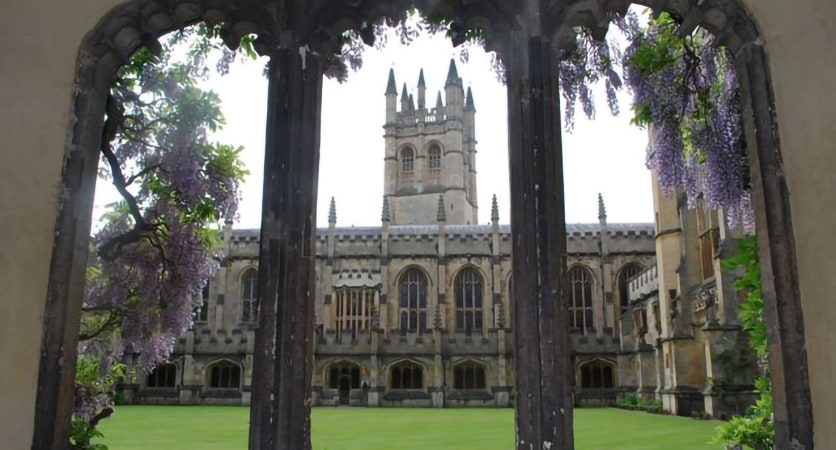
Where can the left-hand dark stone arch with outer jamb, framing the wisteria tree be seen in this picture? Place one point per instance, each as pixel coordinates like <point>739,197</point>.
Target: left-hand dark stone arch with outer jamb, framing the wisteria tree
<point>102,52</point>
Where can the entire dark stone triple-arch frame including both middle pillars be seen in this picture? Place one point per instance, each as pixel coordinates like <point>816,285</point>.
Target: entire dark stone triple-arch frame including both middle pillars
<point>298,36</point>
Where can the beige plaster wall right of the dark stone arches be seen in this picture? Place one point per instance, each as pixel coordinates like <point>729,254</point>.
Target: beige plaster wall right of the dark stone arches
<point>798,37</point>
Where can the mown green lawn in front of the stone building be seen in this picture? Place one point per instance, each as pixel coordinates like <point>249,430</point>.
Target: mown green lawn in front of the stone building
<point>207,427</point>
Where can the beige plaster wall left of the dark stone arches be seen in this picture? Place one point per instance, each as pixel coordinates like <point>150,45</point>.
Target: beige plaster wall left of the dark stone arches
<point>40,40</point>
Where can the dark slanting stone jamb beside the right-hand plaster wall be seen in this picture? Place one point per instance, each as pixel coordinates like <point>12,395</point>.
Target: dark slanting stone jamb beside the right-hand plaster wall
<point>791,393</point>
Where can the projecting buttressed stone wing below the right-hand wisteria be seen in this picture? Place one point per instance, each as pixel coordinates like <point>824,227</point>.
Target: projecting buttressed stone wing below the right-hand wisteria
<point>681,340</point>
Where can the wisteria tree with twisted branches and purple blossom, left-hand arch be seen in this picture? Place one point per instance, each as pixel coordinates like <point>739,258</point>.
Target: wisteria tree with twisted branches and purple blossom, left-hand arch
<point>157,247</point>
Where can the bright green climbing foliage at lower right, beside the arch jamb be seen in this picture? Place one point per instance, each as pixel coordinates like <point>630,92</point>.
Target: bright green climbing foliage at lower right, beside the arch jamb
<point>756,428</point>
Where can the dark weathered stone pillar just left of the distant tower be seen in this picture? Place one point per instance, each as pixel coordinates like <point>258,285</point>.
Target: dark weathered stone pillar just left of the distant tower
<point>283,364</point>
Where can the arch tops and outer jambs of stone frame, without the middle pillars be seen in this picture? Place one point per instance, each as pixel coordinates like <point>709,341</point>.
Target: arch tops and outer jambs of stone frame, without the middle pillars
<point>127,26</point>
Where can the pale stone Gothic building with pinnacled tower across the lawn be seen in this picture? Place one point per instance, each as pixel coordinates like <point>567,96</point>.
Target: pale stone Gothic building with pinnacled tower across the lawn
<point>417,311</point>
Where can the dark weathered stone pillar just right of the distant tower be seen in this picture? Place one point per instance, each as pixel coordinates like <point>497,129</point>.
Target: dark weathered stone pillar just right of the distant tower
<point>543,416</point>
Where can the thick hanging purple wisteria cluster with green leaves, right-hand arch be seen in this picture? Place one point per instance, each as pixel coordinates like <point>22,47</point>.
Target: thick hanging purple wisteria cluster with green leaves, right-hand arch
<point>685,91</point>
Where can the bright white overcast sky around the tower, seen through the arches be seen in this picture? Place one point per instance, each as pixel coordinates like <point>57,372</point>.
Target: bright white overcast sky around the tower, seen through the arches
<point>605,155</point>
